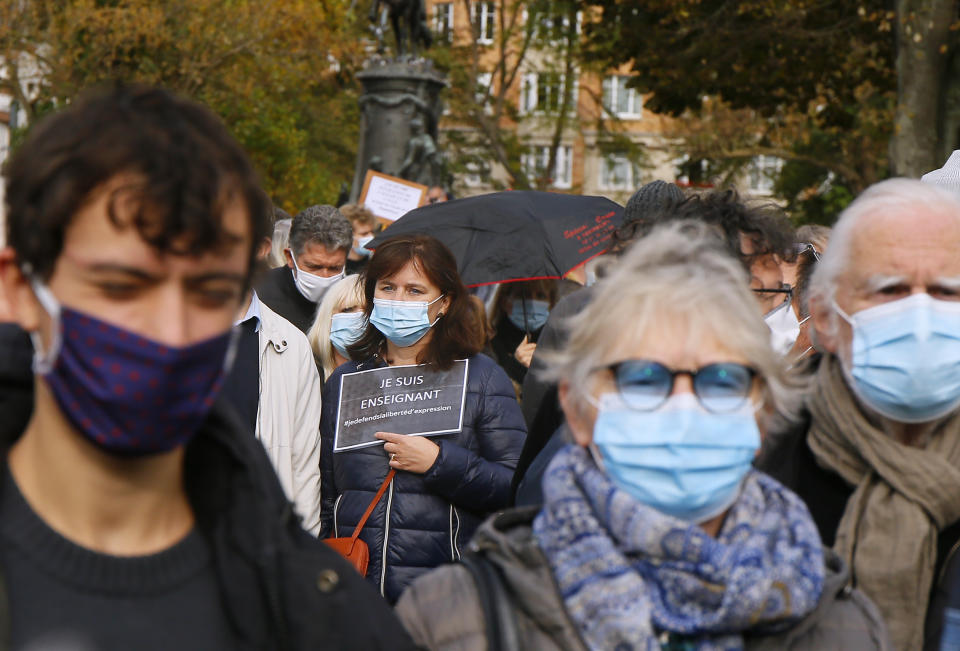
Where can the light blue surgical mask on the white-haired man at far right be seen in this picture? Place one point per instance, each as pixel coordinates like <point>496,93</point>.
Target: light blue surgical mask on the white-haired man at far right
<point>905,358</point>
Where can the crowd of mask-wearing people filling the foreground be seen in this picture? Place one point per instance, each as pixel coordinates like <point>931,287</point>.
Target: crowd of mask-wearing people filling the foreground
<point>725,433</point>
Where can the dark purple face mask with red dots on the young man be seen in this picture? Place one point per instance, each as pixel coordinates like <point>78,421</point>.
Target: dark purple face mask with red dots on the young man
<point>126,394</point>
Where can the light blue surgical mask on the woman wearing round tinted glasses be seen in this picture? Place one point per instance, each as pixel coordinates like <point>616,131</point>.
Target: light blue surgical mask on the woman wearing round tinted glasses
<point>679,459</point>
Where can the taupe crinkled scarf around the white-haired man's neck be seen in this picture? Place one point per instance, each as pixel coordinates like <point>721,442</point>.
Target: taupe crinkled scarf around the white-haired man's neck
<point>903,497</point>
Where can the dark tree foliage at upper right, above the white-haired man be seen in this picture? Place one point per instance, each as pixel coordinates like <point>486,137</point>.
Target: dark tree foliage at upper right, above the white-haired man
<point>814,82</point>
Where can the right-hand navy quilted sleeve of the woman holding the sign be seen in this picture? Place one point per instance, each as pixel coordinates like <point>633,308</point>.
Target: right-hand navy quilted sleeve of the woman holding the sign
<point>480,480</point>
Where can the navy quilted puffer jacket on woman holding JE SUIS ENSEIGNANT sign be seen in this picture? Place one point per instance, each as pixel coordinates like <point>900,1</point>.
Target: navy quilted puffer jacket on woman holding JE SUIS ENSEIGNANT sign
<point>423,521</point>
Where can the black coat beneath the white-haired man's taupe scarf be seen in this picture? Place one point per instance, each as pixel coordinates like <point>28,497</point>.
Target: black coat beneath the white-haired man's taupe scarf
<point>787,457</point>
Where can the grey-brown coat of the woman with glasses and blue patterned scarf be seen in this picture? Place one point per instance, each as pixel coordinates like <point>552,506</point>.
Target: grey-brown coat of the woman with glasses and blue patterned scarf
<point>443,610</point>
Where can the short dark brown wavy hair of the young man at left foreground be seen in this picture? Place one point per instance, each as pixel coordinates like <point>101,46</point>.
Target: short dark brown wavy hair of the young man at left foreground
<point>187,166</point>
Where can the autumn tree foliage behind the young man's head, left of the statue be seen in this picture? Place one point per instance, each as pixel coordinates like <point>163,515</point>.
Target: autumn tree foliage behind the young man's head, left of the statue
<point>279,72</point>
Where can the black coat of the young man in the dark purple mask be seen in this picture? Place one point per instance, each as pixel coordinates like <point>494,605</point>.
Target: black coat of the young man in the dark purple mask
<point>281,588</point>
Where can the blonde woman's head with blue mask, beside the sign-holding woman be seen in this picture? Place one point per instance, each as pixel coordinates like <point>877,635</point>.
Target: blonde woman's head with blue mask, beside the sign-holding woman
<point>340,321</point>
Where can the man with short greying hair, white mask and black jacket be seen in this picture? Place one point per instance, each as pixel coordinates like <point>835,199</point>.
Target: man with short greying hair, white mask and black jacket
<point>320,238</point>
